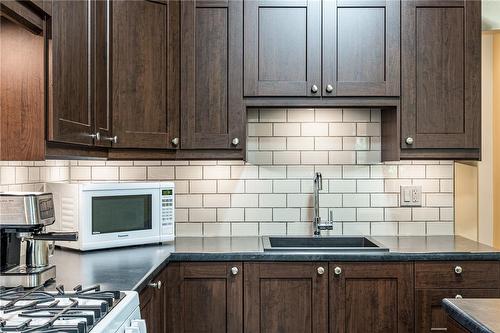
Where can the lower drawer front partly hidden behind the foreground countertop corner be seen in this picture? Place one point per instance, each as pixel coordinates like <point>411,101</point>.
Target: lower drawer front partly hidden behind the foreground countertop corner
<point>430,316</point>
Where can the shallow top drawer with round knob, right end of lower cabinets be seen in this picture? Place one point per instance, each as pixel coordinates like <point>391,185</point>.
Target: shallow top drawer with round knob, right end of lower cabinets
<point>454,274</point>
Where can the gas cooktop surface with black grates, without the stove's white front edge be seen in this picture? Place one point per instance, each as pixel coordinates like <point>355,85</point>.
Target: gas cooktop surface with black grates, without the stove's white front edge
<point>39,310</point>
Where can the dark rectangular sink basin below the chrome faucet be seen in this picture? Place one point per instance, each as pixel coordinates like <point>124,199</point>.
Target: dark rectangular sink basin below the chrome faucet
<point>323,244</point>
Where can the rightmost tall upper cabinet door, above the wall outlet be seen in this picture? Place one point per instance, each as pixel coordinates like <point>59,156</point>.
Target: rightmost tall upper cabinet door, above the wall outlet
<point>441,71</point>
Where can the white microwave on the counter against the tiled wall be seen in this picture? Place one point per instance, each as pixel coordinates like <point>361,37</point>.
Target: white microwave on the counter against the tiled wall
<point>110,215</point>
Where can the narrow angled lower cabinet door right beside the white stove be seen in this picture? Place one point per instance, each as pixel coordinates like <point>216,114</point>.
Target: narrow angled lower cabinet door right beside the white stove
<point>152,302</point>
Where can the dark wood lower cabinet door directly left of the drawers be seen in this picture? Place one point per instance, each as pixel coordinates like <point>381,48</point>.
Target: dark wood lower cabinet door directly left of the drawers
<point>371,297</point>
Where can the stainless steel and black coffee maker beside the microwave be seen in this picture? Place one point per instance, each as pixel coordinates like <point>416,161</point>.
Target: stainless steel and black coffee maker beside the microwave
<point>25,247</point>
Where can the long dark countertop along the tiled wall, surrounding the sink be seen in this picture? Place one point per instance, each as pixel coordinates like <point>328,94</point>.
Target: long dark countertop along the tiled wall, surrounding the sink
<point>131,268</point>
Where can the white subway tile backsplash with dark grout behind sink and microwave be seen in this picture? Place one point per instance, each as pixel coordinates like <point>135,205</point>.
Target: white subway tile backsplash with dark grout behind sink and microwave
<point>271,193</point>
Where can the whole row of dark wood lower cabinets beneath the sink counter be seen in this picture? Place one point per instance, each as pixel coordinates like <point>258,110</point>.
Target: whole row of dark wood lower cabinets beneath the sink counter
<point>314,297</point>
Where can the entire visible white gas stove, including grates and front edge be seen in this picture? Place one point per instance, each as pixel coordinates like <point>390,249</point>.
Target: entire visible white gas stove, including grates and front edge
<point>78,311</point>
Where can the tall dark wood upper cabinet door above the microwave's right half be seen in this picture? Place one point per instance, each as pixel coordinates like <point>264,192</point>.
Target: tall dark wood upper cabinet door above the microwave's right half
<point>144,73</point>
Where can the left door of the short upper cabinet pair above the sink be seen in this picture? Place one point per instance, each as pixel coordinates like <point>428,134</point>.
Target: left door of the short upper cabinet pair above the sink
<point>282,48</point>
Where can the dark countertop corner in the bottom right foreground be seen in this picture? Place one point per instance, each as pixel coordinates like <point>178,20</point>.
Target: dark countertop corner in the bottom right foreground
<point>475,314</point>
